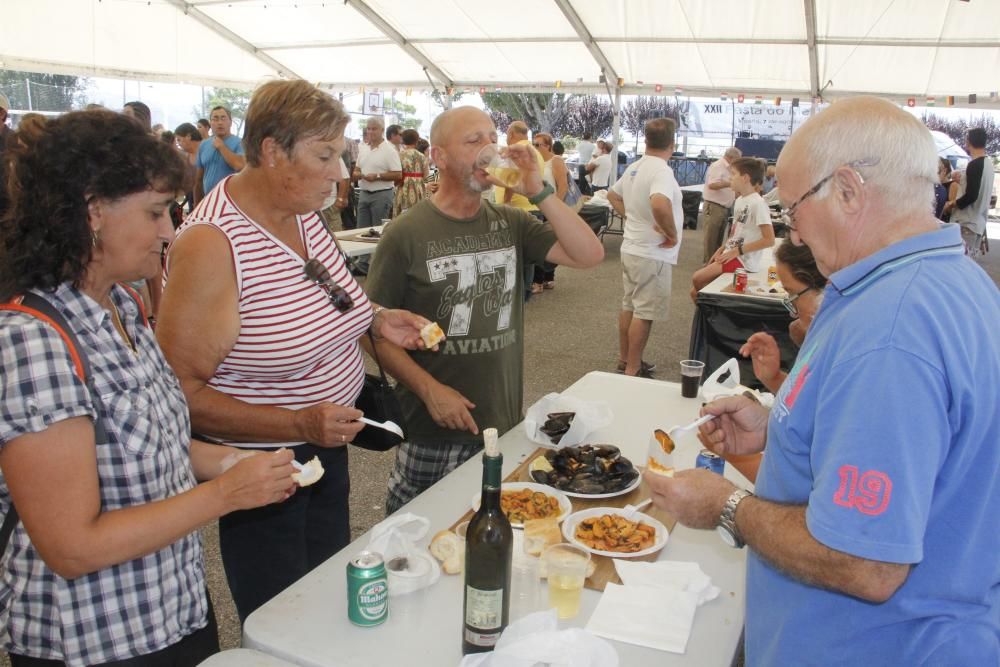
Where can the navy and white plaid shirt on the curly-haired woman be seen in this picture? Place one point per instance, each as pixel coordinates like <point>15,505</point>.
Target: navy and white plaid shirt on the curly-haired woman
<point>135,607</point>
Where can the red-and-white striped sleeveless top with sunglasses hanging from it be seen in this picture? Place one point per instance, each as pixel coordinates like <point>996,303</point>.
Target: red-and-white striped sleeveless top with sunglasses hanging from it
<point>294,348</point>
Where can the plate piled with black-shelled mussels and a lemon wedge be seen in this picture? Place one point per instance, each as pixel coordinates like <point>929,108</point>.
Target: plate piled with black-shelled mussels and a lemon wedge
<point>586,471</point>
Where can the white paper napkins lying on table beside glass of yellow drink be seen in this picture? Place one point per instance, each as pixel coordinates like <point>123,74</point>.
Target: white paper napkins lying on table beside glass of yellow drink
<point>655,606</point>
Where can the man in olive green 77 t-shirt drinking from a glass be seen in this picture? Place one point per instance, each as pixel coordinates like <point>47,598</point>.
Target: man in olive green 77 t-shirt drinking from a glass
<point>458,260</point>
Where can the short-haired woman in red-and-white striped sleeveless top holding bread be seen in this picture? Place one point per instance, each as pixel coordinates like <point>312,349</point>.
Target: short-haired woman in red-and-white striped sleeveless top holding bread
<point>261,321</point>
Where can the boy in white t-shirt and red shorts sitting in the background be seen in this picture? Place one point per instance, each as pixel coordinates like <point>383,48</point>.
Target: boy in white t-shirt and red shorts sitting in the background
<point>751,232</point>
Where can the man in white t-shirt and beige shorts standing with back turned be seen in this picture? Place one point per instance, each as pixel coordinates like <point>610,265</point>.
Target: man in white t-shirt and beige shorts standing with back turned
<point>649,199</point>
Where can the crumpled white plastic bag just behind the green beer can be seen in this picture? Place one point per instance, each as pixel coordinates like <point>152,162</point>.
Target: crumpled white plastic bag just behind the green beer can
<point>397,537</point>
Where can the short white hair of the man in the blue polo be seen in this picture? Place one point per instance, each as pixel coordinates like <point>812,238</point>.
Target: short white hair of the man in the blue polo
<point>871,129</point>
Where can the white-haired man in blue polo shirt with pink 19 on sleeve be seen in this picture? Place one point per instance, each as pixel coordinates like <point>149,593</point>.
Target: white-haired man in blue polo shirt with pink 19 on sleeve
<point>873,536</point>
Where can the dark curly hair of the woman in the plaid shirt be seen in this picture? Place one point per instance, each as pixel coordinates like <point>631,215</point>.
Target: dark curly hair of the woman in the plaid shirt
<point>45,236</point>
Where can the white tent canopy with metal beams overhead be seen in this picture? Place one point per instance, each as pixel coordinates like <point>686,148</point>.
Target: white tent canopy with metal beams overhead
<point>802,48</point>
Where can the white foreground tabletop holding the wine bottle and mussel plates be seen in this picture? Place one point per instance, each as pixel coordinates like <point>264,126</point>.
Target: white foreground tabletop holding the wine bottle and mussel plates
<point>307,623</point>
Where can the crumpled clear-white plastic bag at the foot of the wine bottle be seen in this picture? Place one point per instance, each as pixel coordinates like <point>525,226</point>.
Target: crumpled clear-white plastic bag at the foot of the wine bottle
<point>535,640</point>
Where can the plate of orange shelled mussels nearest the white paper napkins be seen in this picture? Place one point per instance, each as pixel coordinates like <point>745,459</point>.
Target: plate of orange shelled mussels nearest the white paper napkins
<point>610,531</point>
